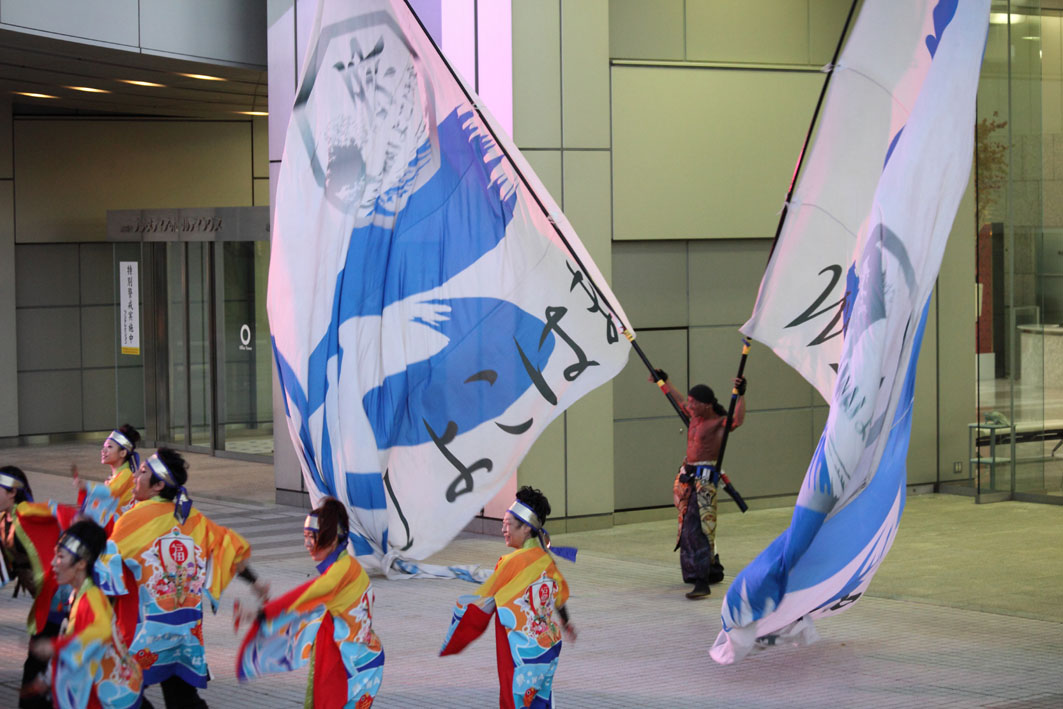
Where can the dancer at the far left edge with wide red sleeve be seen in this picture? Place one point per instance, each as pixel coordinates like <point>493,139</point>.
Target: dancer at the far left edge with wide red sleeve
<point>29,532</point>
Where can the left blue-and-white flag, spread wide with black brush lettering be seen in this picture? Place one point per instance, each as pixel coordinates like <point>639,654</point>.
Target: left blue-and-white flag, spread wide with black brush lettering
<point>432,310</point>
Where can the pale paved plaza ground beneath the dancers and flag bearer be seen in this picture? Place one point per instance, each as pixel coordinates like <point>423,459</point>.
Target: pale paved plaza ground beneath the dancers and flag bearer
<point>642,644</point>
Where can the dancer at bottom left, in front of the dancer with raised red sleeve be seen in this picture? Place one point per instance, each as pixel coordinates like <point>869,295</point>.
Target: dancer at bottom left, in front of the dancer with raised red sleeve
<point>89,663</point>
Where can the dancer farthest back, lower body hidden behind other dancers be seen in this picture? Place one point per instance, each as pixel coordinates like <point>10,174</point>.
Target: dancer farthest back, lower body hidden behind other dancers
<point>113,498</point>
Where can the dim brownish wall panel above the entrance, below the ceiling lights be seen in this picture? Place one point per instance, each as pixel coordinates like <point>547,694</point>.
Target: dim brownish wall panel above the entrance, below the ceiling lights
<point>70,173</point>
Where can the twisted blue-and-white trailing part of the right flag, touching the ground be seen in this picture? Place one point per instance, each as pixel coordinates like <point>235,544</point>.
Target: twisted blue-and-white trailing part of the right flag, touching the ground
<point>850,504</point>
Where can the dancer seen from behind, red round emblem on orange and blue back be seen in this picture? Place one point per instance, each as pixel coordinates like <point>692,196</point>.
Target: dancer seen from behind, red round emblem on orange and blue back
<point>177,558</point>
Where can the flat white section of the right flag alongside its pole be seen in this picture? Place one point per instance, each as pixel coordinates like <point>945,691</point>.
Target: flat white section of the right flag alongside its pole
<point>801,308</point>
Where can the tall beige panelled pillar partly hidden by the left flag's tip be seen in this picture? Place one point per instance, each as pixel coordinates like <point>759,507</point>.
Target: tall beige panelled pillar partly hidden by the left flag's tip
<point>562,125</point>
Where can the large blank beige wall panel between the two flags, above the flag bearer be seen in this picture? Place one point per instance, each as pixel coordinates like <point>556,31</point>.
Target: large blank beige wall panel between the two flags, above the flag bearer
<point>705,154</point>
